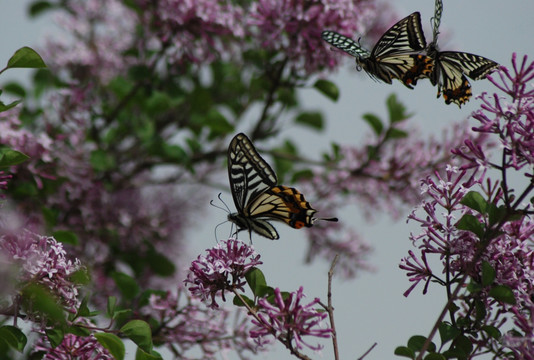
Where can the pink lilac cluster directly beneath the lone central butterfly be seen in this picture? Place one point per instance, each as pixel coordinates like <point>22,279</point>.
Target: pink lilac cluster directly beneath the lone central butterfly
<point>223,268</point>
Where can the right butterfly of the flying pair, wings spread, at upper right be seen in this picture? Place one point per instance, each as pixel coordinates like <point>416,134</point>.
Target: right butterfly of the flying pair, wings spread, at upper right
<point>452,67</point>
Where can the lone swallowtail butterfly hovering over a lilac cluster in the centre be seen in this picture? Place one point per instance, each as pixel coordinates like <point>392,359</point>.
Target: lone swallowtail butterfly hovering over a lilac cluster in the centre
<point>258,198</point>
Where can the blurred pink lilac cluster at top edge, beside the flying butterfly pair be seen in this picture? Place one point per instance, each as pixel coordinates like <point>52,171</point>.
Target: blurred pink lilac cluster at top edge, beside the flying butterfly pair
<point>293,28</point>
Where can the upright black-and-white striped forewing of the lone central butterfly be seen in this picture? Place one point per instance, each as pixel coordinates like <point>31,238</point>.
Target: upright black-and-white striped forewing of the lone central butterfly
<point>248,173</point>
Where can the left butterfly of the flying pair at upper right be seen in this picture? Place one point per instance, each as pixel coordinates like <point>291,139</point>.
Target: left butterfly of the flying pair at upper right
<point>394,56</point>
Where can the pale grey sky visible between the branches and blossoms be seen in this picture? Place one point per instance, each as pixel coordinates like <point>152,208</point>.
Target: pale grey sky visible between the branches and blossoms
<point>370,308</point>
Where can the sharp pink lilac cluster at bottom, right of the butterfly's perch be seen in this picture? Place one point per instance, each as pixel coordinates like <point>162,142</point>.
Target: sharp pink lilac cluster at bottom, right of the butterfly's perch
<point>288,319</point>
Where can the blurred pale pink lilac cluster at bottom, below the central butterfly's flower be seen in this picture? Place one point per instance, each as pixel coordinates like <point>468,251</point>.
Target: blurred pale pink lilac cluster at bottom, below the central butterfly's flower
<point>185,323</point>
